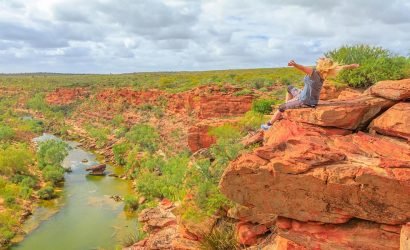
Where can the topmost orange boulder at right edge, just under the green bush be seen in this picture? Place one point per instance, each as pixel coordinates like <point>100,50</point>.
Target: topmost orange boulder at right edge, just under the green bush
<point>393,90</point>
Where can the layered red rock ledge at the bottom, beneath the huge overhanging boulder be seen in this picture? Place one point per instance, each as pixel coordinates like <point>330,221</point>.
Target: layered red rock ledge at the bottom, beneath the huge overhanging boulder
<point>356,234</point>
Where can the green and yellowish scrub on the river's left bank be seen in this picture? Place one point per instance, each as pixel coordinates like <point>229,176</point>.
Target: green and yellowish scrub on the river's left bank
<point>26,174</point>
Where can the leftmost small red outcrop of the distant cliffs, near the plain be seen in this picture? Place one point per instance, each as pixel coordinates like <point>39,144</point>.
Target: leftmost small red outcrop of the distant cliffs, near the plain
<point>64,96</point>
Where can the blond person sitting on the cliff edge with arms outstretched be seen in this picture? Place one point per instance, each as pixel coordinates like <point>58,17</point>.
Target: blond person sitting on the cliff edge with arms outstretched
<point>313,82</point>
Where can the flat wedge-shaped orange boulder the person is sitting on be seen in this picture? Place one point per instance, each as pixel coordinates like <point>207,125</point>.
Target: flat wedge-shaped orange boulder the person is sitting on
<point>346,114</point>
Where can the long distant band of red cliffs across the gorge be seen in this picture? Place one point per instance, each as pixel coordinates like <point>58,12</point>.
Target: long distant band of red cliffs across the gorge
<point>191,113</point>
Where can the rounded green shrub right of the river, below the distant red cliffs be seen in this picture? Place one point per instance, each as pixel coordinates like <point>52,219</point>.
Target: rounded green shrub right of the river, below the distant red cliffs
<point>144,136</point>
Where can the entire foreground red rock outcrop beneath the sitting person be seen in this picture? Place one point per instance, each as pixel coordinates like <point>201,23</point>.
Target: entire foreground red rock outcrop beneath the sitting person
<point>331,186</point>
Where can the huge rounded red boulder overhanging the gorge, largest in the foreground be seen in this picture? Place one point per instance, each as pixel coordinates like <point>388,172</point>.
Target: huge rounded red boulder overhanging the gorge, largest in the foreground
<point>329,179</point>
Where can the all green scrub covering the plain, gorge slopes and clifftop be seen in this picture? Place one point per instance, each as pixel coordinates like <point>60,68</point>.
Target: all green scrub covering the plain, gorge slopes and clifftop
<point>27,174</point>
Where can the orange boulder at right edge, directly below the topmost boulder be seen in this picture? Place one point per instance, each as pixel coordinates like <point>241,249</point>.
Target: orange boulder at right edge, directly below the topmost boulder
<point>395,121</point>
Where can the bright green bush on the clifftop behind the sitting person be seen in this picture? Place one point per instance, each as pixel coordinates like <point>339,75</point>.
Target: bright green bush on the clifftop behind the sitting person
<point>376,64</point>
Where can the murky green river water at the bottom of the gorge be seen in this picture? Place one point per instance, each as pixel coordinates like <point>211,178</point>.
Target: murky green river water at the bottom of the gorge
<point>84,217</point>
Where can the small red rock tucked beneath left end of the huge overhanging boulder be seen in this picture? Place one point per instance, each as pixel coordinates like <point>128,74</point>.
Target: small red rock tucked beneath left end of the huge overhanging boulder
<point>248,233</point>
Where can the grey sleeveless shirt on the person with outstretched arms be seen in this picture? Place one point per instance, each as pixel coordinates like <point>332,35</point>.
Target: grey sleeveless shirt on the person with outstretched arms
<point>311,91</point>
